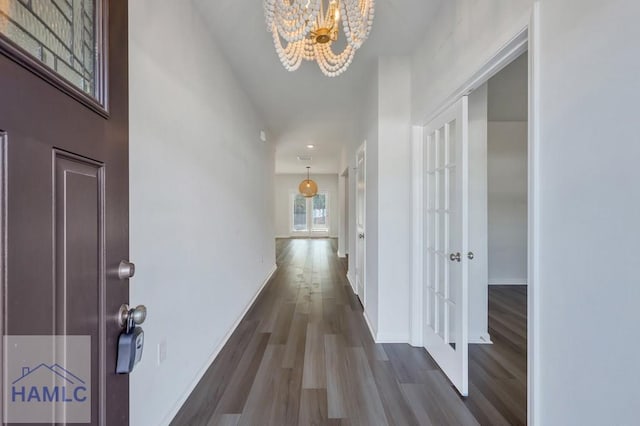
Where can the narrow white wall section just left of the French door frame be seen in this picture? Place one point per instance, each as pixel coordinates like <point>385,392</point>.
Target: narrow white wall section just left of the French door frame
<point>394,197</point>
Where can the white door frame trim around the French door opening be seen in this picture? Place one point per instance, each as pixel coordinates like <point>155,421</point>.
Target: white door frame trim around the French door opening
<point>526,38</point>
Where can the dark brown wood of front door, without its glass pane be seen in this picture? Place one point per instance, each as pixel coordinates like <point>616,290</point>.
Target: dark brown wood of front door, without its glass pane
<point>64,219</point>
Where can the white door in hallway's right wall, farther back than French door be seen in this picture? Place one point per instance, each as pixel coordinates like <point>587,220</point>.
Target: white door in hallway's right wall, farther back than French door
<point>361,180</point>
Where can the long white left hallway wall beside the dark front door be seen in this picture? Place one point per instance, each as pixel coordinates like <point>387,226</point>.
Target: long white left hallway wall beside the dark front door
<point>198,172</point>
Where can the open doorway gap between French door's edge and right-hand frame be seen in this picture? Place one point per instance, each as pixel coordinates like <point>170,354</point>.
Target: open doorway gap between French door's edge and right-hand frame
<point>498,220</point>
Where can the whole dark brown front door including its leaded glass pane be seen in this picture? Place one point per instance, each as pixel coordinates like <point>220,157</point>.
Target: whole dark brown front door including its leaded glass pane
<point>64,209</point>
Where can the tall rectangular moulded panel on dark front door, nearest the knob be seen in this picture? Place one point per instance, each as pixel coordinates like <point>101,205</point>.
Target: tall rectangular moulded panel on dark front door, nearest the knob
<point>79,288</point>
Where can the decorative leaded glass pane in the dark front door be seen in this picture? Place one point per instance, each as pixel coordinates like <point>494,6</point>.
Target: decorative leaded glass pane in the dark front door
<point>61,34</point>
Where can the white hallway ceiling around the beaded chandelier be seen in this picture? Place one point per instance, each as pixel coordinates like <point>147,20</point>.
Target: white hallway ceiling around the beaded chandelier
<point>304,106</point>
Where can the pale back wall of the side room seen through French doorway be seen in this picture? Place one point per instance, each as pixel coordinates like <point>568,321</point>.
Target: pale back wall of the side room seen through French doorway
<point>507,179</point>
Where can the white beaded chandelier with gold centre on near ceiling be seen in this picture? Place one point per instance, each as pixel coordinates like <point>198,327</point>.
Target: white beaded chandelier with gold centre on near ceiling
<point>309,29</point>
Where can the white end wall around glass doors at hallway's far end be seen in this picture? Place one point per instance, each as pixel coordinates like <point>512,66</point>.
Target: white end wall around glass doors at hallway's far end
<point>287,184</point>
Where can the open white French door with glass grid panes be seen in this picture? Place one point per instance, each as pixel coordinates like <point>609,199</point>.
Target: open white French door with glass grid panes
<point>446,241</point>
